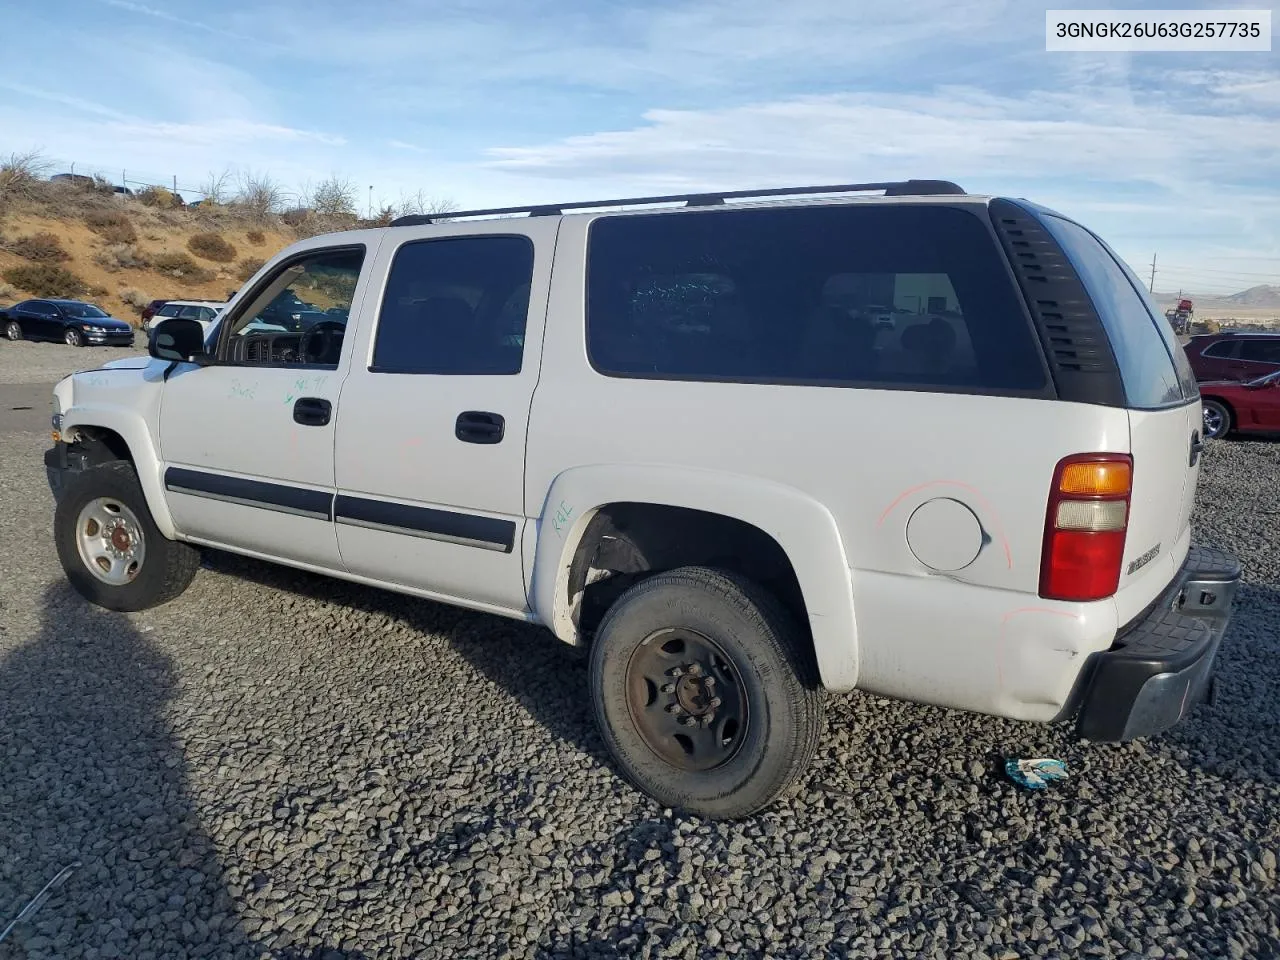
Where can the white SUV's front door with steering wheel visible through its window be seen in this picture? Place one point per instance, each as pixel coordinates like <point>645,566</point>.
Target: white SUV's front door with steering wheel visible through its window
<point>248,440</point>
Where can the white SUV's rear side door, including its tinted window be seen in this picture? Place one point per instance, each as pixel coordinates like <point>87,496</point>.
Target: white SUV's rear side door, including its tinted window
<point>431,447</point>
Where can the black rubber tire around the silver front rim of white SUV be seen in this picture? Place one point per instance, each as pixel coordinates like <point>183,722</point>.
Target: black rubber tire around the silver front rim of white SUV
<point>168,566</point>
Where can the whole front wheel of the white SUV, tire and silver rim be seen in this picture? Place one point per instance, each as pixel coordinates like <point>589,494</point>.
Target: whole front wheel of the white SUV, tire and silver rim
<point>109,546</point>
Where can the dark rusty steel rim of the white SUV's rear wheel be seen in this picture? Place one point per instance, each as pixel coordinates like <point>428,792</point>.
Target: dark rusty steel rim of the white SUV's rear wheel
<point>687,700</point>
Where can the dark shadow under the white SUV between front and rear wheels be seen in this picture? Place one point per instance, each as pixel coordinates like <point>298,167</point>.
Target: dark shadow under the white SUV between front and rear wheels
<point>547,676</point>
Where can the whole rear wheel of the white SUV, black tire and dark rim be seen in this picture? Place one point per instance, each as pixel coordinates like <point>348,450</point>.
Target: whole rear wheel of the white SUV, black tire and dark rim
<point>771,671</point>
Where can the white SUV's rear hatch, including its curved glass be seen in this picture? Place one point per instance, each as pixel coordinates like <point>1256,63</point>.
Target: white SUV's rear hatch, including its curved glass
<point>1165,420</point>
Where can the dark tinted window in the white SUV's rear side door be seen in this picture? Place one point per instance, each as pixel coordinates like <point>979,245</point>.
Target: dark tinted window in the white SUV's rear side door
<point>456,307</point>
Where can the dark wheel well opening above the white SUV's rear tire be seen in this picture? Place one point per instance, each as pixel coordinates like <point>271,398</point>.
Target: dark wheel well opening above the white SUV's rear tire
<point>628,542</point>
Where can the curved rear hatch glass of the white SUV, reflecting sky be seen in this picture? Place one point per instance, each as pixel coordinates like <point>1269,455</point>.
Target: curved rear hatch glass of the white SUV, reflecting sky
<point>1146,363</point>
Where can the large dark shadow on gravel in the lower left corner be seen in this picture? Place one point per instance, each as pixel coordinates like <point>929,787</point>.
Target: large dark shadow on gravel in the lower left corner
<point>93,772</point>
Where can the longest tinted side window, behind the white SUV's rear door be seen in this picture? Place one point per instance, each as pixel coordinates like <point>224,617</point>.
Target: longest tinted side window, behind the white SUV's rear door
<point>895,296</point>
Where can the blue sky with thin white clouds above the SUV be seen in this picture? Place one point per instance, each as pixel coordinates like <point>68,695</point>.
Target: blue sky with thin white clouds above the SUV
<point>1174,156</point>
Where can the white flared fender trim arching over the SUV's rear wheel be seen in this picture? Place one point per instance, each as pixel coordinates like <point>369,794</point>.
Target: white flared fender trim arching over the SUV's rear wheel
<point>803,527</point>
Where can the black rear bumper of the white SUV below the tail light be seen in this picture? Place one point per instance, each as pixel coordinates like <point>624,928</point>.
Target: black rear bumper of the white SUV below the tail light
<point>1163,665</point>
